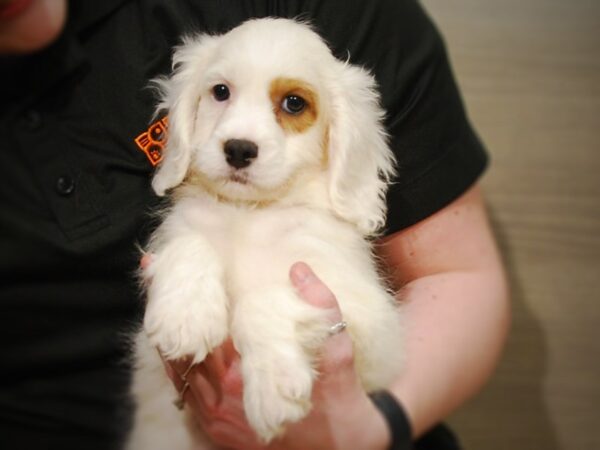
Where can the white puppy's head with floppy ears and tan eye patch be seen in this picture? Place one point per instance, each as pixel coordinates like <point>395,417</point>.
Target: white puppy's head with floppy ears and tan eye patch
<point>253,111</point>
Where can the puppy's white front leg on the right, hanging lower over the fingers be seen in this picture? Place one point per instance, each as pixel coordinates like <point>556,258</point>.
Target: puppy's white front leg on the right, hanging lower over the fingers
<point>278,337</point>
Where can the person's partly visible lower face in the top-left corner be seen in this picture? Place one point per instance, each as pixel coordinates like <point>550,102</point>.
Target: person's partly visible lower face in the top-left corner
<point>27,26</point>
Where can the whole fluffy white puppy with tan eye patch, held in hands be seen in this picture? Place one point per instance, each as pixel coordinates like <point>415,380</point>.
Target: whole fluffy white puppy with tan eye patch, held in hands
<point>276,154</point>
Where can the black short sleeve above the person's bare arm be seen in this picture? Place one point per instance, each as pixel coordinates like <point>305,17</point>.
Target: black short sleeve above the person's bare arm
<point>438,153</point>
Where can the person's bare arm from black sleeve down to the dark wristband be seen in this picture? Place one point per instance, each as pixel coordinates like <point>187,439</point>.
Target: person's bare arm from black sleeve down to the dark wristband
<point>455,302</point>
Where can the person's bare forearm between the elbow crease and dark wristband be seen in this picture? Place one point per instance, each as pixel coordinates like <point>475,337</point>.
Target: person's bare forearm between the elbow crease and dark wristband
<point>456,325</point>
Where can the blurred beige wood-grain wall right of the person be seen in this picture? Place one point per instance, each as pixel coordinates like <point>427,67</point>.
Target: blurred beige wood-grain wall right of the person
<point>529,71</point>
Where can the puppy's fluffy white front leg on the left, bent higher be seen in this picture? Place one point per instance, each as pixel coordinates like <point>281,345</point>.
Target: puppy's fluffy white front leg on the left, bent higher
<point>186,312</point>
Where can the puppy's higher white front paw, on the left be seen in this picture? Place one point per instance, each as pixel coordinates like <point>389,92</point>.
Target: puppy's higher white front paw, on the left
<point>187,320</point>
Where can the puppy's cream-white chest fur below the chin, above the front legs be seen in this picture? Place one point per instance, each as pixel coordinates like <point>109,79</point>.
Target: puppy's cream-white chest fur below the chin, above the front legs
<point>258,245</point>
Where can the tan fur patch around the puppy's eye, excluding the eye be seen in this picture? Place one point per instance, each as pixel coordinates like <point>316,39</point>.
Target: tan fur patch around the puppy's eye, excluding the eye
<point>294,123</point>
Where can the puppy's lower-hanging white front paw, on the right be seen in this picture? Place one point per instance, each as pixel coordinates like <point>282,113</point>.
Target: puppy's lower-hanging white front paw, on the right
<point>276,392</point>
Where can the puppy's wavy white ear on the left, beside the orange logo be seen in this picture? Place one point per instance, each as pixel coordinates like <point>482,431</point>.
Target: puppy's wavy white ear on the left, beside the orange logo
<point>179,96</point>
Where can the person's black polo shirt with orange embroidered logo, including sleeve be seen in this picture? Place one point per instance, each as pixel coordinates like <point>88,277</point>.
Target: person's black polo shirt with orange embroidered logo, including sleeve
<point>76,160</point>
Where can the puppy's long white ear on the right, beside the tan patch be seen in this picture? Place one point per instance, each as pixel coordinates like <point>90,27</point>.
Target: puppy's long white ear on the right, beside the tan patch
<point>360,162</point>
